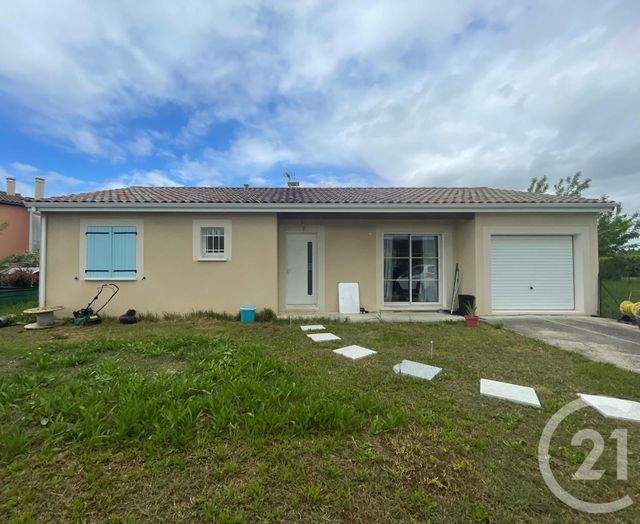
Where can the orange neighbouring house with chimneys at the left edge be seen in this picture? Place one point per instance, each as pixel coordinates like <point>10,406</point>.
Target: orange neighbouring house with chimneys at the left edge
<point>19,227</point>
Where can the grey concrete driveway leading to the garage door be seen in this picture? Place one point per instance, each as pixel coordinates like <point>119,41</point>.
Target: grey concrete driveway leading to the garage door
<point>600,339</point>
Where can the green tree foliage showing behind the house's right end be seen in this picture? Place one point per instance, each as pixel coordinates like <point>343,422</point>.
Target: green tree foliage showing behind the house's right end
<point>617,231</point>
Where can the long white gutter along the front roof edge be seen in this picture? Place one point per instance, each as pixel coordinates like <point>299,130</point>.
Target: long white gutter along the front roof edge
<point>109,207</point>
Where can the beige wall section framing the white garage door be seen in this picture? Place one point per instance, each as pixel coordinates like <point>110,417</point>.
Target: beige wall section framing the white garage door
<point>582,226</point>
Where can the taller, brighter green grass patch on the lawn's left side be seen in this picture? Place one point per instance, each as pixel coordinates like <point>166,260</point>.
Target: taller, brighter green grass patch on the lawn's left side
<point>226,390</point>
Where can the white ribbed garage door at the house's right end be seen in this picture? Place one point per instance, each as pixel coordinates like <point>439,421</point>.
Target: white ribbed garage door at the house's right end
<point>533,273</point>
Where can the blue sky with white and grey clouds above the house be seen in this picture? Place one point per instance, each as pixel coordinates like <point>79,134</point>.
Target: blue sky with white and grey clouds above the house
<point>488,92</point>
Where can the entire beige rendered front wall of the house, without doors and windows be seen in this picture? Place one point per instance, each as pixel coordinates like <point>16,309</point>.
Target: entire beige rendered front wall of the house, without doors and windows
<point>349,250</point>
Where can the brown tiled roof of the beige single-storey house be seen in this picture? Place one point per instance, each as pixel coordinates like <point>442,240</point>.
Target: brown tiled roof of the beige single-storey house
<point>315,195</point>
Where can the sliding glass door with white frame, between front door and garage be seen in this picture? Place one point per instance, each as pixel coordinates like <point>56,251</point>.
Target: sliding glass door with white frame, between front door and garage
<point>411,269</point>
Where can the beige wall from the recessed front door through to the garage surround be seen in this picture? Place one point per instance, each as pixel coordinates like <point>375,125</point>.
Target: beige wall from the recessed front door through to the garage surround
<point>351,250</point>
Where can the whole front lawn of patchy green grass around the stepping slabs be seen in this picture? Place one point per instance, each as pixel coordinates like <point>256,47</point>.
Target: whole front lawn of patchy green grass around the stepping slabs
<point>197,419</point>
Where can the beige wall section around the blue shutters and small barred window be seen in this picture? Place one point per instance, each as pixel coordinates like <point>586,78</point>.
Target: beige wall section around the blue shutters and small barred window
<point>173,281</point>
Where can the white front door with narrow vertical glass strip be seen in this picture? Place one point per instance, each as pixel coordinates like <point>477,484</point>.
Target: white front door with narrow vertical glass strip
<point>301,269</point>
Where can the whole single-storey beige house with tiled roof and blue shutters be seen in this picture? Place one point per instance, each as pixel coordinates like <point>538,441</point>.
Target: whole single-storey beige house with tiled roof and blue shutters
<point>178,249</point>
